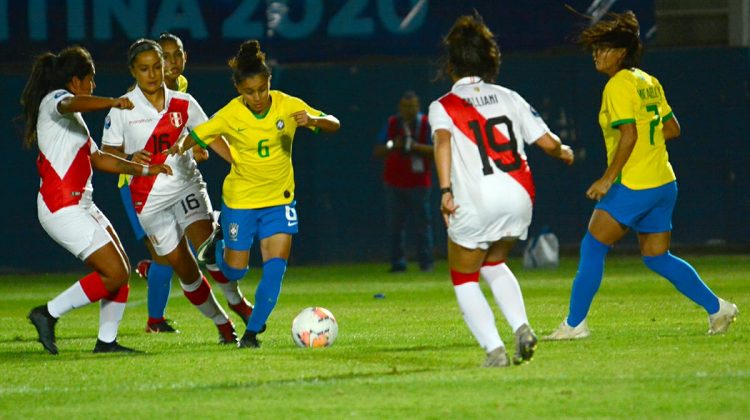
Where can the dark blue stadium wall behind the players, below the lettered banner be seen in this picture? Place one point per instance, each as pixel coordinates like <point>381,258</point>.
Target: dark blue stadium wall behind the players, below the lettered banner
<point>339,192</point>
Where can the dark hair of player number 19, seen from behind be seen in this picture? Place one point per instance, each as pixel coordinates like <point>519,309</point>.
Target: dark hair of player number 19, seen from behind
<point>470,50</point>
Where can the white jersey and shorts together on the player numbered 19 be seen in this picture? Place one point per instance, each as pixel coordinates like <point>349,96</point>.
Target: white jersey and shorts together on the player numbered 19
<point>491,179</point>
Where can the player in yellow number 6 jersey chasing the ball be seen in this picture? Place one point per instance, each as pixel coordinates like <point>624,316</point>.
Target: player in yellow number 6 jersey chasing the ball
<point>258,194</point>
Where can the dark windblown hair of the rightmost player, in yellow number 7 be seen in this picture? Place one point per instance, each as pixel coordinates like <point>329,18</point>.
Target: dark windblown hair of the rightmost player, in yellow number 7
<point>619,30</point>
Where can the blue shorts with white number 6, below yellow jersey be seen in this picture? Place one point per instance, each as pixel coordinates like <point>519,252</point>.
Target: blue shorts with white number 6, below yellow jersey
<point>240,226</point>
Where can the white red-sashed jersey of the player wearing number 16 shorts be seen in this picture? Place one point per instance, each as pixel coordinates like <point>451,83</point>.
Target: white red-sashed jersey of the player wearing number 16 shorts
<point>143,127</point>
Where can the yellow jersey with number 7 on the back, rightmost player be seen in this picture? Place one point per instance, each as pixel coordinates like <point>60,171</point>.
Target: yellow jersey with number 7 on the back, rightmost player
<point>633,96</point>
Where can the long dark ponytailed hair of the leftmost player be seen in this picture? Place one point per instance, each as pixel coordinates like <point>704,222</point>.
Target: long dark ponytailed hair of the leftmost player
<point>50,72</point>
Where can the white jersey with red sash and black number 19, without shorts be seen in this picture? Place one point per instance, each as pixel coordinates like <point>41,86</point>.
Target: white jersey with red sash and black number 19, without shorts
<point>490,125</point>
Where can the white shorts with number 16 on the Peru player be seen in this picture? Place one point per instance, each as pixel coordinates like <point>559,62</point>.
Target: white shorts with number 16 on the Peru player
<point>166,227</point>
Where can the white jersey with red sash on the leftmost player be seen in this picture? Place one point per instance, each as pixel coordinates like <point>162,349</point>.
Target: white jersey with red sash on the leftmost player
<point>64,162</point>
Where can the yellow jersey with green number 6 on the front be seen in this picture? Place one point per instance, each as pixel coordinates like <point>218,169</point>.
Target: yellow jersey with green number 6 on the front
<point>261,145</point>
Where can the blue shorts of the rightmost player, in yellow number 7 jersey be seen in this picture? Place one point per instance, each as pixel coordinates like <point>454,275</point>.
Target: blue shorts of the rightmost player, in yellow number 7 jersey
<point>644,211</point>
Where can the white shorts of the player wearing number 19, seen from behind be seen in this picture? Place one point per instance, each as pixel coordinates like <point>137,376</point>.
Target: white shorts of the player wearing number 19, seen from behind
<point>485,217</point>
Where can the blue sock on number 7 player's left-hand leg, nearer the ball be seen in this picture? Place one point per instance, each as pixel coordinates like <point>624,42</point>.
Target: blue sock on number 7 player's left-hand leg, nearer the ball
<point>588,278</point>
